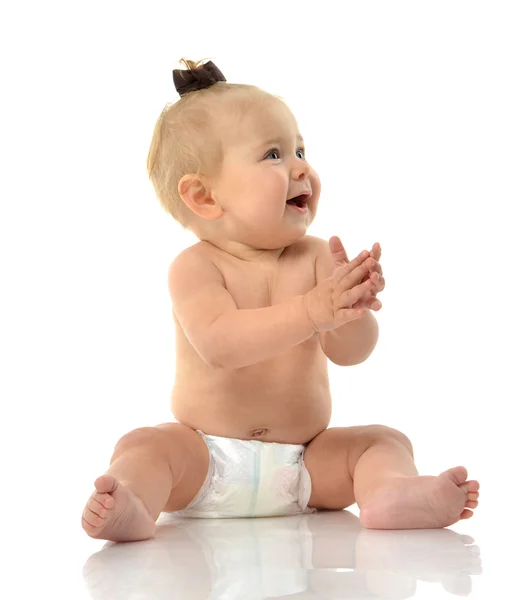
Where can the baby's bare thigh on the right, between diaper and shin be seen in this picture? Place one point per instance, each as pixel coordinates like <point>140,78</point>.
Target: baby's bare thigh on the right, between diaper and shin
<point>330,459</point>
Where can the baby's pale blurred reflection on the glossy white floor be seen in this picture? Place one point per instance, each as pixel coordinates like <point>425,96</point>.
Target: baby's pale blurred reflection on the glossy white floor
<point>310,556</point>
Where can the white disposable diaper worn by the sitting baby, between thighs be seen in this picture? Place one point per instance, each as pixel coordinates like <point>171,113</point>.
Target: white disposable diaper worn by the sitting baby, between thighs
<point>249,478</point>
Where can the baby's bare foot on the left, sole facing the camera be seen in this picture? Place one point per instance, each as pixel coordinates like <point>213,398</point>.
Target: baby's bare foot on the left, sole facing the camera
<point>115,513</point>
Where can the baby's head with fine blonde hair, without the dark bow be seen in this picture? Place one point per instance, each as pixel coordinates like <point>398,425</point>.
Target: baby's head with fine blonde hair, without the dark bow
<point>223,162</point>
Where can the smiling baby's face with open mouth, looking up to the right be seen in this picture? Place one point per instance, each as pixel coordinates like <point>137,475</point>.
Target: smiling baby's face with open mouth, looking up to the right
<point>264,166</point>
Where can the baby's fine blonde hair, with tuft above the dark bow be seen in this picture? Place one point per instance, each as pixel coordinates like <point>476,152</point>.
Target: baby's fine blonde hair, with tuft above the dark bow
<point>186,140</point>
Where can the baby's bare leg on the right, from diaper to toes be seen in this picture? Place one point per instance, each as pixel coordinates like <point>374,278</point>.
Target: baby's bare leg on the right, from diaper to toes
<point>374,466</point>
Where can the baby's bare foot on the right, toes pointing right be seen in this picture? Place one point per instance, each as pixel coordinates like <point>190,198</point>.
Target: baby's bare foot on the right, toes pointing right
<point>421,502</point>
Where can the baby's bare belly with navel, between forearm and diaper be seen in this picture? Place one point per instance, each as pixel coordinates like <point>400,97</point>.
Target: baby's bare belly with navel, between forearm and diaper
<point>286,399</point>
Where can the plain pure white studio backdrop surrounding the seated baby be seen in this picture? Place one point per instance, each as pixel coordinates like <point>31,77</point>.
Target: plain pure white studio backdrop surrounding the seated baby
<point>414,117</point>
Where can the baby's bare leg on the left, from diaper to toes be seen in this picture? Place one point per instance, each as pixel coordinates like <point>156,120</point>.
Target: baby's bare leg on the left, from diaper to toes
<point>153,469</point>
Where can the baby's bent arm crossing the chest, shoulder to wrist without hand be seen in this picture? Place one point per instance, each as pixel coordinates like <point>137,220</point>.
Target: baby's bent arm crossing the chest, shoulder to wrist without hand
<point>223,335</point>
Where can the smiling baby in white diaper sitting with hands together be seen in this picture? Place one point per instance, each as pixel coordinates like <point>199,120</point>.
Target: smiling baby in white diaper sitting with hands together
<point>258,308</point>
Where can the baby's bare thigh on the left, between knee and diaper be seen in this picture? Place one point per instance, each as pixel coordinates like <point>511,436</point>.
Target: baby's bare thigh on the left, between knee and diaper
<point>188,457</point>
